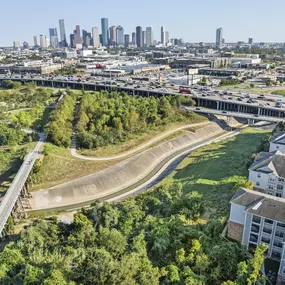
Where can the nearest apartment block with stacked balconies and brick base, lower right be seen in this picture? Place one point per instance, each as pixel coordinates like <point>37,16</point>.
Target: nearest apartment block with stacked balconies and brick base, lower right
<point>257,218</point>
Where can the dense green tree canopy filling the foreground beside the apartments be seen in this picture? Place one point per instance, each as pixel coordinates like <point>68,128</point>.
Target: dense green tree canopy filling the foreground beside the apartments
<point>151,239</point>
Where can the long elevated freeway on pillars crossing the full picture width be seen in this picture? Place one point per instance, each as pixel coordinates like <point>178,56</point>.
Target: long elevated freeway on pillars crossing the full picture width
<point>210,100</point>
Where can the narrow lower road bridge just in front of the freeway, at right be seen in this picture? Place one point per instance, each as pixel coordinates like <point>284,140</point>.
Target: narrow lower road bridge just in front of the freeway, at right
<point>235,114</point>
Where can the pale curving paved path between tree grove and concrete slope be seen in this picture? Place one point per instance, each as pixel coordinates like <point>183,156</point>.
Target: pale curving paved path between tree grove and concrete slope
<point>134,150</point>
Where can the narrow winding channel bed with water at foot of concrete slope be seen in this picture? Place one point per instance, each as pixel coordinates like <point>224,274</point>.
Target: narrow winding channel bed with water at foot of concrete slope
<point>162,170</point>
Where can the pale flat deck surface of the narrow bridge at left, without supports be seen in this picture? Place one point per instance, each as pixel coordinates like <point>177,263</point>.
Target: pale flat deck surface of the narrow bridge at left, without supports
<point>12,194</point>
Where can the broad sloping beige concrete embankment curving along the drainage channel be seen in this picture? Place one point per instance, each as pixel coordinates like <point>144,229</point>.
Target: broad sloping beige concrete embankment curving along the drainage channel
<point>120,176</point>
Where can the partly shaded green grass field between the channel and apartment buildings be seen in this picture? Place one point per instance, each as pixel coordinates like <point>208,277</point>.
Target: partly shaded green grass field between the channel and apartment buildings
<point>213,170</point>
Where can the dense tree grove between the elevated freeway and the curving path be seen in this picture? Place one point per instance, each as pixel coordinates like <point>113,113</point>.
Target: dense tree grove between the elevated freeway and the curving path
<point>110,118</point>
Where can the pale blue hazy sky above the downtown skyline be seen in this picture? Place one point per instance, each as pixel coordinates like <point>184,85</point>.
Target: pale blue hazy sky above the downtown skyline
<point>192,20</point>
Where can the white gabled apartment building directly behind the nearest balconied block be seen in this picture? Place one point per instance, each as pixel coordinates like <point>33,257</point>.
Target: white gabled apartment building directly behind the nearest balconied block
<point>267,172</point>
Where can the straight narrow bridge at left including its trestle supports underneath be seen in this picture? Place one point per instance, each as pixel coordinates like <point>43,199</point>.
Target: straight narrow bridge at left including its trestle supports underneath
<point>12,202</point>
